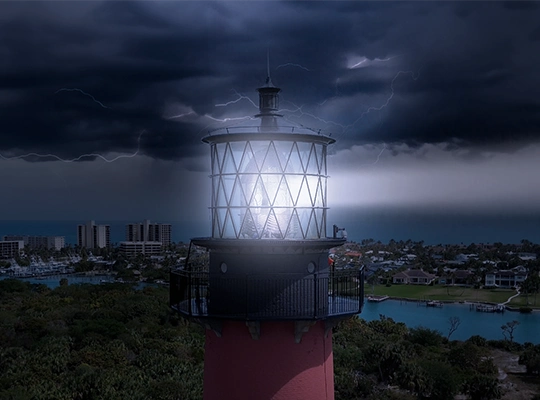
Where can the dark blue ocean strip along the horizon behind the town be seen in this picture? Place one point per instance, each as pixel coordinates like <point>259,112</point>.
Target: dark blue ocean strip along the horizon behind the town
<point>383,225</point>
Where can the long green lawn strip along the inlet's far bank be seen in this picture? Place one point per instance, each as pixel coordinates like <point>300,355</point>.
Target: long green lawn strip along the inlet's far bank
<point>439,292</point>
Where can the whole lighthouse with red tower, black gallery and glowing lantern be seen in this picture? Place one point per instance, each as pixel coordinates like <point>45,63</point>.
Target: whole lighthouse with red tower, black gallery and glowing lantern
<point>268,297</point>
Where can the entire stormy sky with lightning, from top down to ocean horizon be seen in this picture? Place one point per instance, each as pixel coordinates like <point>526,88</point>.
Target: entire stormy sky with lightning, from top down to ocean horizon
<point>435,105</point>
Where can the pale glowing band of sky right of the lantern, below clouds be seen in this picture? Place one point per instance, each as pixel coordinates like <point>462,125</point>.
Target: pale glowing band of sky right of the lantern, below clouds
<point>431,177</point>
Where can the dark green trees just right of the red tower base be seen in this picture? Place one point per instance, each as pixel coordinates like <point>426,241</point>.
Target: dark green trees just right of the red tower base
<point>370,357</point>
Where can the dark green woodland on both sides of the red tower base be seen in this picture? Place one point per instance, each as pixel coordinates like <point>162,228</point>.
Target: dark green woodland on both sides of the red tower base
<point>108,342</point>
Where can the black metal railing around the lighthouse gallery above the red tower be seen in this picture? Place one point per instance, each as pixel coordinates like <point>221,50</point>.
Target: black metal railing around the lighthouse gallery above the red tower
<point>267,297</point>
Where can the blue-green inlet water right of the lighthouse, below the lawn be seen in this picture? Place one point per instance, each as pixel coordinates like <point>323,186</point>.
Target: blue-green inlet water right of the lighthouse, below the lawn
<point>487,325</point>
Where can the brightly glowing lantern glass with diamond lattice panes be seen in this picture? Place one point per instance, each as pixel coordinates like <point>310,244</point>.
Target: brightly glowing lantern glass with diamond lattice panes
<point>265,189</point>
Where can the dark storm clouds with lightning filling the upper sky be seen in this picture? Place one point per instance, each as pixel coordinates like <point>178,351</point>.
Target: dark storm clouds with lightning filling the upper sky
<point>474,66</point>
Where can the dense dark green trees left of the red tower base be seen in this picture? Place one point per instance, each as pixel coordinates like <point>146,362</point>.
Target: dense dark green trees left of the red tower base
<point>95,342</point>
